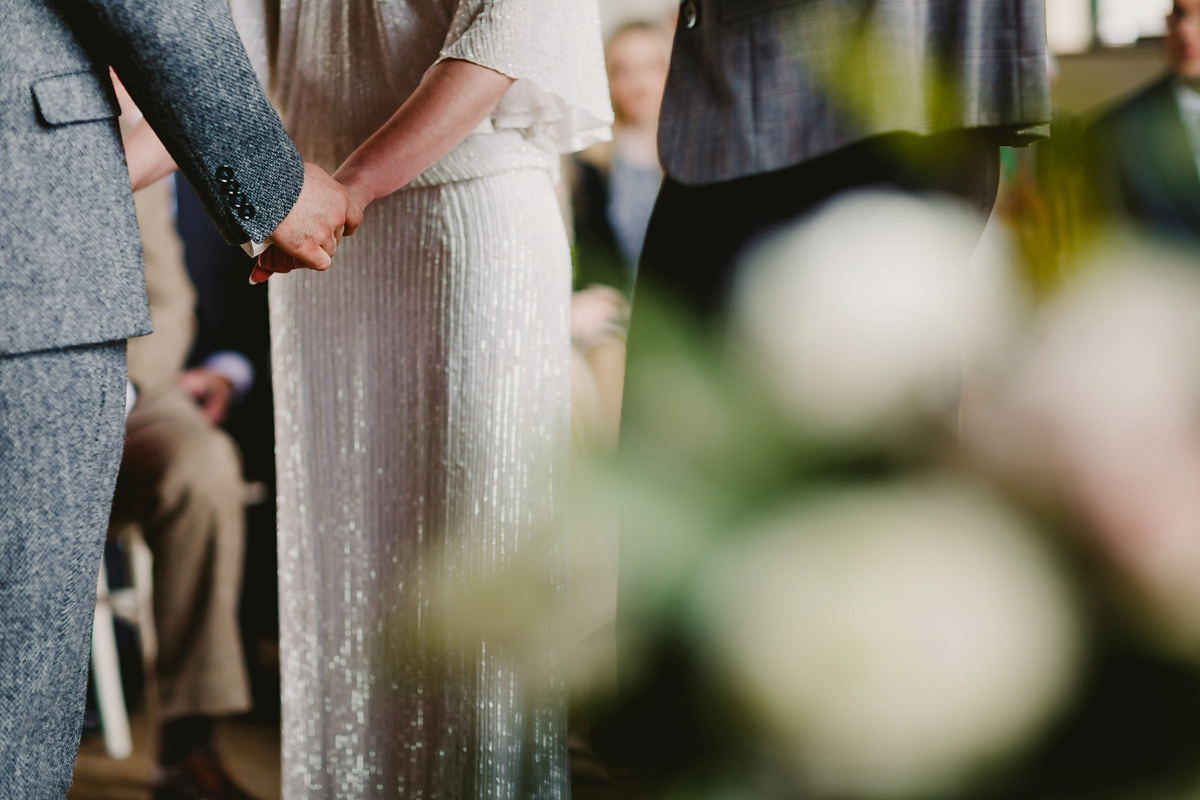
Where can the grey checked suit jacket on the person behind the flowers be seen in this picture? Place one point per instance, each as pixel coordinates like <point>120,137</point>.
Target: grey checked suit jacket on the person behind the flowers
<point>759,86</point>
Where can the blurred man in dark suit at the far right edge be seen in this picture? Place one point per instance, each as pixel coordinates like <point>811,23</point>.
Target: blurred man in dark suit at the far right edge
<point>1145,151</point>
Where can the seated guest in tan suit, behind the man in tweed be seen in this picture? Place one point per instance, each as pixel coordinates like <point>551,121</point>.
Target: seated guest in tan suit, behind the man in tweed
<point>182,483</point>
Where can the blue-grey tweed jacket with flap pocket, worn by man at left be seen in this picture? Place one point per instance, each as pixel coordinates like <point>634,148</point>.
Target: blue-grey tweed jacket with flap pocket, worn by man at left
<point>70,252</point>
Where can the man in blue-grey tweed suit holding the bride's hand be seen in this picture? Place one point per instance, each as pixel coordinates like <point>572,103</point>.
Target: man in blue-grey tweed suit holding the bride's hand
<point>73,291</point>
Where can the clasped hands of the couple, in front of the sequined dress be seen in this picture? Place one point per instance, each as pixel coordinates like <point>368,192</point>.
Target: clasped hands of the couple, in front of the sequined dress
<point>308,238</point>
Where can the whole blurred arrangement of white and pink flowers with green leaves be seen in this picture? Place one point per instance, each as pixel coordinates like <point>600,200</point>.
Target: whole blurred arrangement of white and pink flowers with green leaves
<point>920,521</point>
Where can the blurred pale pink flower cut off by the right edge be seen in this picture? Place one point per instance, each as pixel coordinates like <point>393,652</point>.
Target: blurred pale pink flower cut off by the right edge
<point>1105,410</point>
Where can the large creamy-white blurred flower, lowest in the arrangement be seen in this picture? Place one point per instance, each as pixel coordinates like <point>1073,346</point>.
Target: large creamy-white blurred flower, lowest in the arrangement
<point>896,640</point>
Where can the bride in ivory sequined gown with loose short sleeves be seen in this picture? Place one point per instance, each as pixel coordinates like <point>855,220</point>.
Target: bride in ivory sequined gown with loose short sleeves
<point>422,384</point>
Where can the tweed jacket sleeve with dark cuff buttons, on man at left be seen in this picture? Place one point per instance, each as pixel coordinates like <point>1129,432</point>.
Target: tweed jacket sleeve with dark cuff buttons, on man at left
<point>185,67</point>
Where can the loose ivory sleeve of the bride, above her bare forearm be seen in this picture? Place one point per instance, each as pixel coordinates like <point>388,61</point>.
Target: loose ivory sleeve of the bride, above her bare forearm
<point>554,52</point>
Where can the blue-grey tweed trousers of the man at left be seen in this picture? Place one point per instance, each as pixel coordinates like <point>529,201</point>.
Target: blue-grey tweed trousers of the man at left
<point>62,429</point>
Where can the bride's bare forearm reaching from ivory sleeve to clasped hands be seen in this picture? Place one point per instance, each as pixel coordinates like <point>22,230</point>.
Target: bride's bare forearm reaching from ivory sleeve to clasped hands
<point>453,99</point>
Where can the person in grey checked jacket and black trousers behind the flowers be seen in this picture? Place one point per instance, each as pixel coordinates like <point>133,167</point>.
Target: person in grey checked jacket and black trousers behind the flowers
<point>776,106</point>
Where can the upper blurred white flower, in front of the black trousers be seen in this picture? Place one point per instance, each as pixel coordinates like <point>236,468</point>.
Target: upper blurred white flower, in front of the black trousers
<point>856,320</point>
